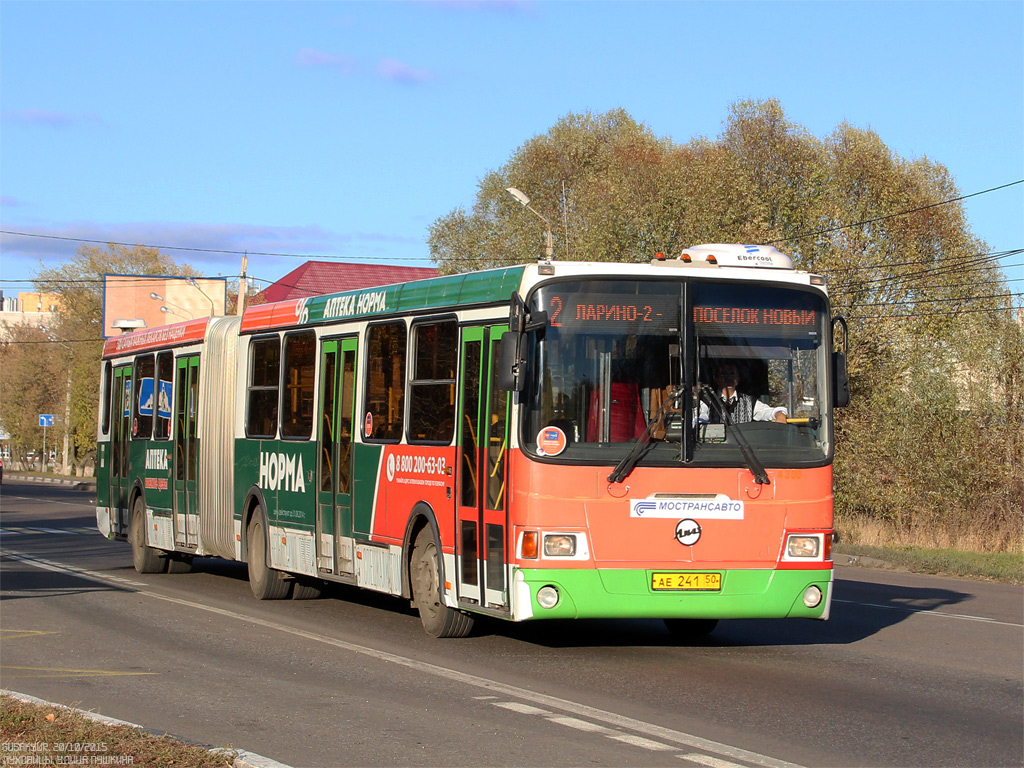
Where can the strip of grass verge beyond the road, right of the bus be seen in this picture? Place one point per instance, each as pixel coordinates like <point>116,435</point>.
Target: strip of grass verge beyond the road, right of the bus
<point>1007,568</point>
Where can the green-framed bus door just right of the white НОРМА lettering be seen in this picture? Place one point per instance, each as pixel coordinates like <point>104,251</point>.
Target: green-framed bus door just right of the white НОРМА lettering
<point>334,495</point>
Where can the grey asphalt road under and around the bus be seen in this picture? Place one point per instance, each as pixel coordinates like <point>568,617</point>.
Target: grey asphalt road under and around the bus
<point>911,670</point>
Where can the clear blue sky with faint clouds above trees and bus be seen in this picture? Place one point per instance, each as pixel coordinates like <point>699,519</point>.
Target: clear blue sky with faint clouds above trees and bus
<point>344,130</point>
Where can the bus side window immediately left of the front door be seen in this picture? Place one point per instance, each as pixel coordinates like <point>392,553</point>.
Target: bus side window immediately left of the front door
<point>432,392</point>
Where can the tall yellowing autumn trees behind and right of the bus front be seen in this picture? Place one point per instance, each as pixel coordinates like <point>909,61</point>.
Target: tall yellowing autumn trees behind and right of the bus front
<point>934,433</point>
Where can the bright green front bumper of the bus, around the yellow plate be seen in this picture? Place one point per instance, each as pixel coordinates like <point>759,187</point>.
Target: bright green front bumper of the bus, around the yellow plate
<point>613,593</point>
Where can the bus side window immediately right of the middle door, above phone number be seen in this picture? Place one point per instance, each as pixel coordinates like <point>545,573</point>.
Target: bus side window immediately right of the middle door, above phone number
<point>386,382</point>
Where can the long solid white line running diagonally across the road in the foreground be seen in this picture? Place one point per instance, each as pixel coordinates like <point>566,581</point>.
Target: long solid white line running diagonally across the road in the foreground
<point>601,716</point>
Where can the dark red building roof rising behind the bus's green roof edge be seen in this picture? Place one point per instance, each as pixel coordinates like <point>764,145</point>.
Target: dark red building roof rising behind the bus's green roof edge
<point>319,278</point>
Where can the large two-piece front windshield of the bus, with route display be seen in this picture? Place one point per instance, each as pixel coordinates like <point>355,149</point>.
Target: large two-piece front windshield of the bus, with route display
<point>608,370</point>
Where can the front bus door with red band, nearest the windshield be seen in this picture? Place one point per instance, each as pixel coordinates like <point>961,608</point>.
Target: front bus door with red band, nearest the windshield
<point>483,519</point>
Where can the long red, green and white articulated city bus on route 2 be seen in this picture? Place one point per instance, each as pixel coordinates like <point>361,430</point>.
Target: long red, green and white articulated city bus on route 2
<point>538,442</point>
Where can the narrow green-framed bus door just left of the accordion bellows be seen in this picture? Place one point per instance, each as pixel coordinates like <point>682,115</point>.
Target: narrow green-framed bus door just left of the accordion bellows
<point>186,451</point>
